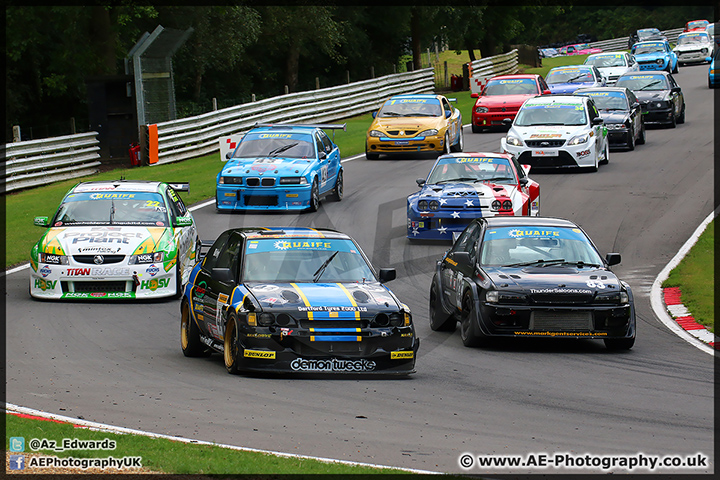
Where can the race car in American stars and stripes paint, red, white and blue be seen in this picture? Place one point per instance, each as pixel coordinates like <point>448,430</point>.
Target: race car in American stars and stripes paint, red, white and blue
<point>461,187</point>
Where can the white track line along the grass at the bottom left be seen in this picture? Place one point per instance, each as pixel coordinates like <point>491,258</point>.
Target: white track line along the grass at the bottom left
<point>9,407</point>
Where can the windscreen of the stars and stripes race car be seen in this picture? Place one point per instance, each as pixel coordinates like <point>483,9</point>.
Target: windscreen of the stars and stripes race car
<point>472,170</point>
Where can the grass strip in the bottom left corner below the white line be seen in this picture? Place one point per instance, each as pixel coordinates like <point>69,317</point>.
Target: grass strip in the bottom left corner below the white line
<point>168,456</point>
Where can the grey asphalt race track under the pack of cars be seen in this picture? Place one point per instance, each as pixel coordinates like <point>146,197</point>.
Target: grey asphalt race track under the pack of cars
<point>122,364</point>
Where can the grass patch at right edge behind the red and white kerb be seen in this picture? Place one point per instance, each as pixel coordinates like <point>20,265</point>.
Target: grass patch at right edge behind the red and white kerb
<point>695,276</point>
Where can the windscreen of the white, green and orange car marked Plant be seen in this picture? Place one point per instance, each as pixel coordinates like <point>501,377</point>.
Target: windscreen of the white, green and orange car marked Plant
<point>116,208</point>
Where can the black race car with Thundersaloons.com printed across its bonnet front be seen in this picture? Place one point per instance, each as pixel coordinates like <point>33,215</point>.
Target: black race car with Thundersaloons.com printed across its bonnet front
<point>530,277</point>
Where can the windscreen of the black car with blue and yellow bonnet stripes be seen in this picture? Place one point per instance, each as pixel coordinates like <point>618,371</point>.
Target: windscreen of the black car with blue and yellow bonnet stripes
<point>320,260</point>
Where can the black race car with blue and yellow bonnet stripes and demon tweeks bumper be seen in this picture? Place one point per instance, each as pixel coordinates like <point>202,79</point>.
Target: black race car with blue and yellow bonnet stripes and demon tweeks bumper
<point>295,299</point>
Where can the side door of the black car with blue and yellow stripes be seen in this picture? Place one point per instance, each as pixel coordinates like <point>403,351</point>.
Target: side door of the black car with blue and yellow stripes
<point>218,290</point>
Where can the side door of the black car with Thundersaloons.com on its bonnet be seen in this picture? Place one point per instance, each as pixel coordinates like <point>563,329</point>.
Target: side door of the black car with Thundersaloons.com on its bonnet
<point>454,268</point>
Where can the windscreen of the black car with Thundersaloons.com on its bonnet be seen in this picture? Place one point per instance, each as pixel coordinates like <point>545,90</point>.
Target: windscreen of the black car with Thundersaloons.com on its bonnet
<point>510,246</point>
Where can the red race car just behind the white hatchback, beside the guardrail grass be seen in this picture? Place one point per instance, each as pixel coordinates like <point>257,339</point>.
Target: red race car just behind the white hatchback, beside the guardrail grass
<point>501,98</point>
